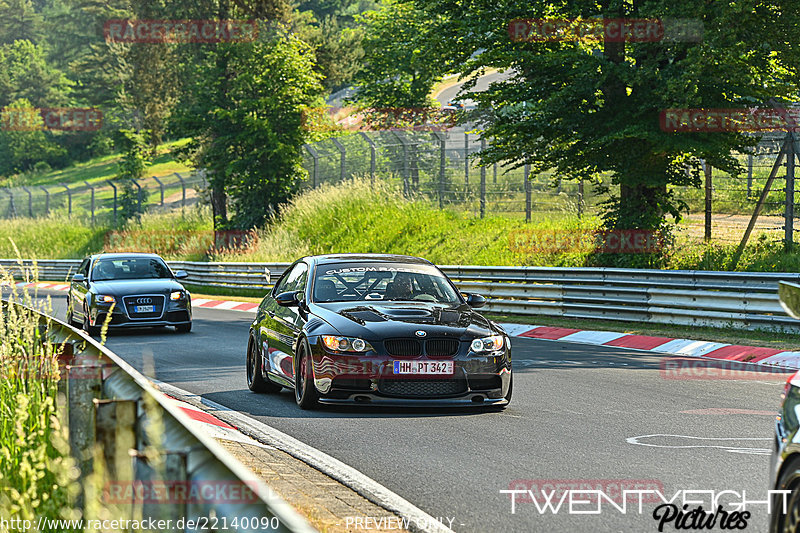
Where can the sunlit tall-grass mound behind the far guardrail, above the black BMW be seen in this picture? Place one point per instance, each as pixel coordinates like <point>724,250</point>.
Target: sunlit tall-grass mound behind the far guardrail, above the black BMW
<point>356,217</point>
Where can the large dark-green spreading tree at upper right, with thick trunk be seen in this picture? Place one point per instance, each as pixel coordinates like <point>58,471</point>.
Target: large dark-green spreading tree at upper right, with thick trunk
<point>590,110</point>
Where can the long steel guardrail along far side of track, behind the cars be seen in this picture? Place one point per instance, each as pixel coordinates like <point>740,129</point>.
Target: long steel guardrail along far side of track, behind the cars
<point>747,300</point>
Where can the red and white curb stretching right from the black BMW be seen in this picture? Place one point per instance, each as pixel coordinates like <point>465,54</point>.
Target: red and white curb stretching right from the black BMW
<point>662,345</point>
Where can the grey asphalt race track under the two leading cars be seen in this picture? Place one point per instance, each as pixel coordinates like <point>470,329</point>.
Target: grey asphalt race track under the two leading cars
<point>576,415</point>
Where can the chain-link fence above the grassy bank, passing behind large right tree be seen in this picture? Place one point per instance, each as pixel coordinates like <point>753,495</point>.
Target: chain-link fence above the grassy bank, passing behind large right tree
<point>442,166</point>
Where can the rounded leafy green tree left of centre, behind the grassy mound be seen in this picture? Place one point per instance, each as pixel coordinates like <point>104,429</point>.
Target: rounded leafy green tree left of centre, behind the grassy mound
<point>246,117</point>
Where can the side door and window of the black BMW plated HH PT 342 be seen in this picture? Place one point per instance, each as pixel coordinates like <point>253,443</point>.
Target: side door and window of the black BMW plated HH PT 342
<point>281,326</point>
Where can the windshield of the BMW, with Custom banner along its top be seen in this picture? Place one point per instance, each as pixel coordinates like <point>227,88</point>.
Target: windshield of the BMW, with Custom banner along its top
<point>345,282</point>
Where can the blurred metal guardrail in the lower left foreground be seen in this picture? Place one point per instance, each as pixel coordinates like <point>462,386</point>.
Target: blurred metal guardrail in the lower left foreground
<point>111,405</point>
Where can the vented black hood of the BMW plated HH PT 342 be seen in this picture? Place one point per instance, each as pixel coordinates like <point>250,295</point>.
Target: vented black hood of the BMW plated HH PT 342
<point>378,320</point>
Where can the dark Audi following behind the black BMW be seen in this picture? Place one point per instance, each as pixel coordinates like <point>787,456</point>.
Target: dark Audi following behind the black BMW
<point>139,290</point>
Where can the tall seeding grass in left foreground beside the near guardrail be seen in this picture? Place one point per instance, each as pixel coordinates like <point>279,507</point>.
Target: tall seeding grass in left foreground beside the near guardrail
<point>37,476</point>
